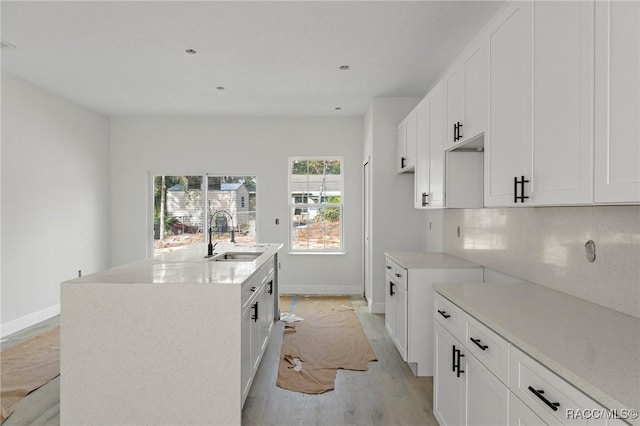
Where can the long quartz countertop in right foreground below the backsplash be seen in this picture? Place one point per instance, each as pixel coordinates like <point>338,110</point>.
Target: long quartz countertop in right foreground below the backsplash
<point>594,348</point>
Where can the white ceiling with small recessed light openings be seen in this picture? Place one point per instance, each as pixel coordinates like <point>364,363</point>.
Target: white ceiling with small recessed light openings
<point>273,58</point>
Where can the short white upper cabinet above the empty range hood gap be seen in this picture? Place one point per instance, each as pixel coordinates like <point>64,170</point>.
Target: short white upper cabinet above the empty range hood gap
<point>466,92</point>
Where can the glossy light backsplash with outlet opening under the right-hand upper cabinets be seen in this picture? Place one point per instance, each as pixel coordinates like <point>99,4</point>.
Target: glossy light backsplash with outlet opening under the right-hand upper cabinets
<point>546,245</point>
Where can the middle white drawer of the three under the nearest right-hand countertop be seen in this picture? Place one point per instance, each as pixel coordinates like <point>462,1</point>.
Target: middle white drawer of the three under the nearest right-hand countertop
<point>490,348</point>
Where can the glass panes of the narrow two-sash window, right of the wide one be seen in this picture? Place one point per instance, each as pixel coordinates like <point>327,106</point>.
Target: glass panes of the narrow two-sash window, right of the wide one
<point>316,204</point>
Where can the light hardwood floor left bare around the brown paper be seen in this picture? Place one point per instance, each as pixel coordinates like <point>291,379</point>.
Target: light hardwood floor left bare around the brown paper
<point>386,394</point>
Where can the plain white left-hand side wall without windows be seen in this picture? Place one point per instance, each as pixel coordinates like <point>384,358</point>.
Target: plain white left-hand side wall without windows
<point>55,199</point>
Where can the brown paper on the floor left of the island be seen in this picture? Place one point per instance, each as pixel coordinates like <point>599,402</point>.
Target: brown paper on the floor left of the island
<point>28,366</point>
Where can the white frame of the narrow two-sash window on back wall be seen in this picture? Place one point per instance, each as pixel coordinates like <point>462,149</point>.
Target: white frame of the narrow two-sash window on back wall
<point>293,205</point>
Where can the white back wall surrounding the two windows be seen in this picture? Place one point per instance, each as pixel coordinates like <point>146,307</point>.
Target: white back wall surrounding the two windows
<point>239,146</point>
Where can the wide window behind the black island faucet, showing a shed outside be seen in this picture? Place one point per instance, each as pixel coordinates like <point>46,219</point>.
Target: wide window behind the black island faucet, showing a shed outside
<point>181,202</point>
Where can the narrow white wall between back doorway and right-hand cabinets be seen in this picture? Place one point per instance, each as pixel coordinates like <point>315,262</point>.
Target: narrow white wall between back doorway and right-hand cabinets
<point>396,225</point>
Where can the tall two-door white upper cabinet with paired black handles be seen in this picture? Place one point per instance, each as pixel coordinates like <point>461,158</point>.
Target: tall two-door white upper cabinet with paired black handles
<point>540,139</point>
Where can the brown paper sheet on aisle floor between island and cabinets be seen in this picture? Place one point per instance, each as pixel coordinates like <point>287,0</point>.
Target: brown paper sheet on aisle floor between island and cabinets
<point>330,337</point>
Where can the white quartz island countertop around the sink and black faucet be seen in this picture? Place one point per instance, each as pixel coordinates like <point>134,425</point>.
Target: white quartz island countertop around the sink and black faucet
<point>186,266</point>
